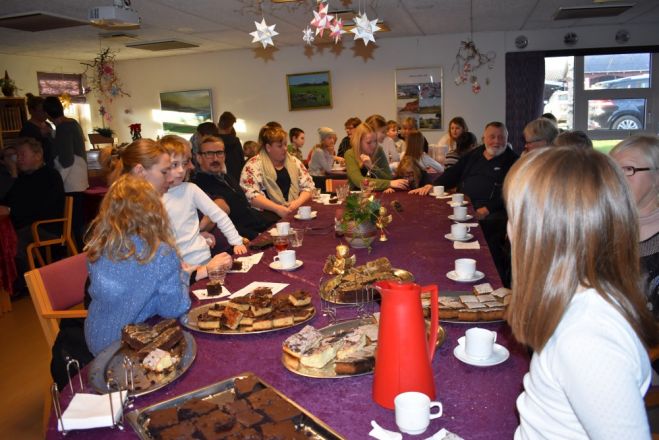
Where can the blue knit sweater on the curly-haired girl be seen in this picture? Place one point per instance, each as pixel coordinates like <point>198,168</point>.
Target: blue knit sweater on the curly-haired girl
<point>125,292</point>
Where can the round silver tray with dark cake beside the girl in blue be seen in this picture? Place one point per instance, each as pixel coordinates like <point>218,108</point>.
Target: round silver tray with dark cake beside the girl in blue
<point>153,356</point>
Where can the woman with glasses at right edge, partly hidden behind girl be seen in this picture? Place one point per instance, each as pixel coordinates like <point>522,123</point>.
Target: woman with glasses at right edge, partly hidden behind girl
<point>638,157</point>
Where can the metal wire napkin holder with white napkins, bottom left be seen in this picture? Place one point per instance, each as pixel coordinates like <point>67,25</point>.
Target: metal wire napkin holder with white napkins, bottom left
<point>116,408</point>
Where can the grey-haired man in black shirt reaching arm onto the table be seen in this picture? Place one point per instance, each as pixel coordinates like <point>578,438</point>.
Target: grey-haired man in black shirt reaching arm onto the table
<point>480,175</point>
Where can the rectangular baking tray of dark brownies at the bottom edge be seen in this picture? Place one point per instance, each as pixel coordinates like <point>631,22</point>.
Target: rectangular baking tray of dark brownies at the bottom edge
<point>241,407</point>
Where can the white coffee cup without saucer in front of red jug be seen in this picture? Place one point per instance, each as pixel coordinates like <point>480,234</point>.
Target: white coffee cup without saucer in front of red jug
<point>413,412</point>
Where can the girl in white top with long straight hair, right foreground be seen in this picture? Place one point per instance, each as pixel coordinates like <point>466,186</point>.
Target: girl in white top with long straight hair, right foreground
<point>577,298</point>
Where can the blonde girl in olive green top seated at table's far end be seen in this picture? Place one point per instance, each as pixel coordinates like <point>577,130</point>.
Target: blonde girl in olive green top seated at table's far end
<point>366,161</point>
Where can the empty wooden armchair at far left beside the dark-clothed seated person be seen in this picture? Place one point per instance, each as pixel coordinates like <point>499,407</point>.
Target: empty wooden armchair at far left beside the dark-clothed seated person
<point>33,249</point>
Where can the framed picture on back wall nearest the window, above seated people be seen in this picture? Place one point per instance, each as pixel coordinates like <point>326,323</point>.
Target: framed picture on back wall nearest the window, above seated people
<point>419,96</point>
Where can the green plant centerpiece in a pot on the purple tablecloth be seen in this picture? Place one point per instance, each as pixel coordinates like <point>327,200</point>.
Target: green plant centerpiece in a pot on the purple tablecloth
<point>358,220</point>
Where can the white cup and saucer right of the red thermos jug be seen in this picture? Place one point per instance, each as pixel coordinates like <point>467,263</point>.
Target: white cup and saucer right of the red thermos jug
<point>478,347</point>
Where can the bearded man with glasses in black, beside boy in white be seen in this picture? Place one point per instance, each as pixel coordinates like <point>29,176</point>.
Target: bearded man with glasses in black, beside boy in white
<point>213,179</point>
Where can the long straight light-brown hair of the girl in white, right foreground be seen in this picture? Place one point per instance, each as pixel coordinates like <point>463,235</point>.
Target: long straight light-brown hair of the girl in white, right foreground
<point>573,223</point>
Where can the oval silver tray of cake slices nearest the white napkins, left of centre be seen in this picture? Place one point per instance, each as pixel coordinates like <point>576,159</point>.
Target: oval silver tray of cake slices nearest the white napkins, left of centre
<point>257,312</point>
